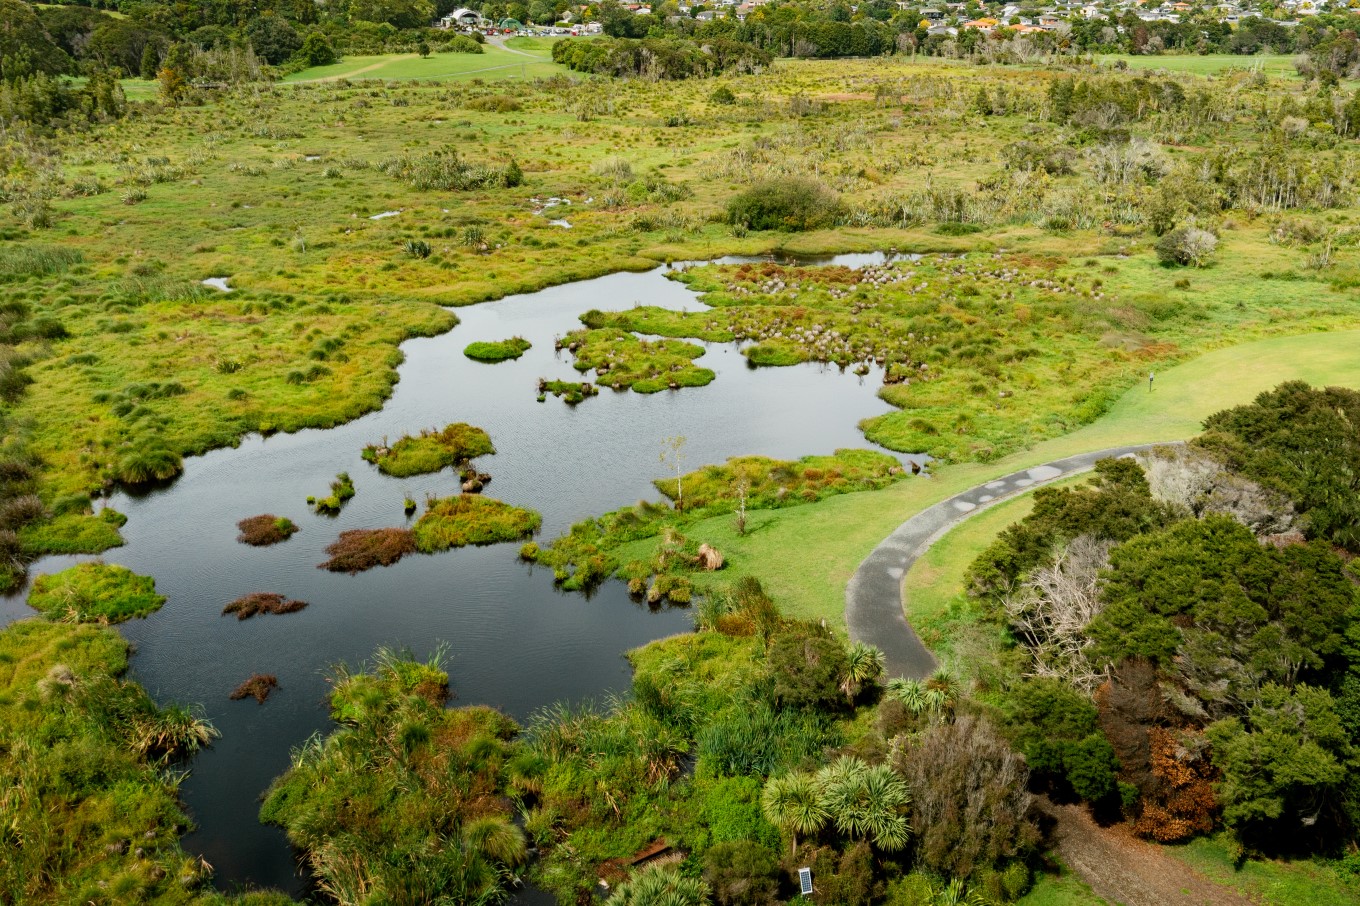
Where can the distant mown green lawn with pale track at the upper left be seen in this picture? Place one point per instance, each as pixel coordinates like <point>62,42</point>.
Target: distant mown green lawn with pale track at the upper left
<point>494,63</point>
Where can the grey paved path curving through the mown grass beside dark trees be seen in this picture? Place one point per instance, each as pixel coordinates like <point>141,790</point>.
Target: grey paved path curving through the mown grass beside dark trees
<point>874,598</point>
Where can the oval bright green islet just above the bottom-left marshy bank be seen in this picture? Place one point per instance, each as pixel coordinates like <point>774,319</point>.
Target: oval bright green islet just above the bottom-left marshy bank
<point>95,594</point>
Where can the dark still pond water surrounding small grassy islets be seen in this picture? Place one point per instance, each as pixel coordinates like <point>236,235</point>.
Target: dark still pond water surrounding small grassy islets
<point>513,640</point>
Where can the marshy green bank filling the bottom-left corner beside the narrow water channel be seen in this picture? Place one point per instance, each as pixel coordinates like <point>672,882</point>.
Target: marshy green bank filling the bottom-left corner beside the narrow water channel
<point>92,814</point>
